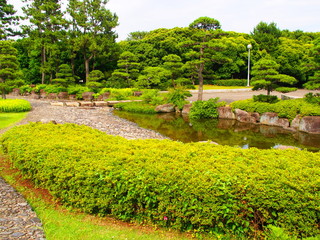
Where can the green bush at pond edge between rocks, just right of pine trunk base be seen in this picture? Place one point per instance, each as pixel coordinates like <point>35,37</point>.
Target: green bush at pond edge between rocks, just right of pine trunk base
<point>205,109</point>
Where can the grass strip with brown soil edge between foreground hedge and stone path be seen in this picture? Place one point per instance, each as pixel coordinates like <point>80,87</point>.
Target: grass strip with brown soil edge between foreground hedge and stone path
<point>61,223</point>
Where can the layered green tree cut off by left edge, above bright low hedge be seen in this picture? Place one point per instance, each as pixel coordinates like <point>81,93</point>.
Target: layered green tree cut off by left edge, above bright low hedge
<point>9,66</point>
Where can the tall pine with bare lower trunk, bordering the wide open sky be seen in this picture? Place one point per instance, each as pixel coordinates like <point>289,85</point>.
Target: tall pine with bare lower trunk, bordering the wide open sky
<point>92,28</point>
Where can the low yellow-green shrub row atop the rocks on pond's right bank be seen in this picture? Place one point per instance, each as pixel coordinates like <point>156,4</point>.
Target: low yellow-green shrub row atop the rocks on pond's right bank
<point>285,109</point>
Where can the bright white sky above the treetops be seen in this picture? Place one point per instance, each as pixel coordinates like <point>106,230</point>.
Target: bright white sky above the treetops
<point>233,15</point>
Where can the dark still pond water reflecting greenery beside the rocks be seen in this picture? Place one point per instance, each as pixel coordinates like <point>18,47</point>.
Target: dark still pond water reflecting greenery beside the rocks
<point>222,131</point>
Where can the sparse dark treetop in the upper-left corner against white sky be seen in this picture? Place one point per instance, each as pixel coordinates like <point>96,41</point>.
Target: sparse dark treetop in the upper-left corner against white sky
<point>7,19</point>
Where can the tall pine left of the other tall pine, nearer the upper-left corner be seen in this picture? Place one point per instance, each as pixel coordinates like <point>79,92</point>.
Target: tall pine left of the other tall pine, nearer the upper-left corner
<point>45,29</point>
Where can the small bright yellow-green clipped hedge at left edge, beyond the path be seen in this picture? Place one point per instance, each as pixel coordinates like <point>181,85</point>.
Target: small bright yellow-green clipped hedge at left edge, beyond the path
<point>14,105</point>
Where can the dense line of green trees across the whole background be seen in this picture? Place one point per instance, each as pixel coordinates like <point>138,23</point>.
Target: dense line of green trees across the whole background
<point>82,39</point>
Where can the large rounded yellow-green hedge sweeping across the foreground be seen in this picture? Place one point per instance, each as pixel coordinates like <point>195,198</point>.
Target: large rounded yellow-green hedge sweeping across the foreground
<point>197,186</point>
